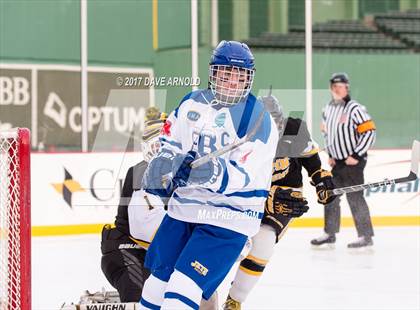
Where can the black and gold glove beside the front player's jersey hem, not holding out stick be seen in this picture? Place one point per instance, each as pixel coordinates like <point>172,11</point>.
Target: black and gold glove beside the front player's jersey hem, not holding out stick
<point>286,202</point>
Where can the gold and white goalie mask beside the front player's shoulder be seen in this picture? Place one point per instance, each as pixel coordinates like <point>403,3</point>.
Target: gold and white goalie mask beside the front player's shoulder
<point>154,122</point>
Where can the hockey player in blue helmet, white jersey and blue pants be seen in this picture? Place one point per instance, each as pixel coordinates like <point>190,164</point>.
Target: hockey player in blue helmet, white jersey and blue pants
<point>213,208</point>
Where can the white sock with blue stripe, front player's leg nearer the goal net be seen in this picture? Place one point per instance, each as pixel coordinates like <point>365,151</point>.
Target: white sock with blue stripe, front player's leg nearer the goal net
<point>153,292</point>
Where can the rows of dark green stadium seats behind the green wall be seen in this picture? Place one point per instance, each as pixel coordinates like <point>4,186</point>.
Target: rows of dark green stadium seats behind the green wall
<point>391,32</point>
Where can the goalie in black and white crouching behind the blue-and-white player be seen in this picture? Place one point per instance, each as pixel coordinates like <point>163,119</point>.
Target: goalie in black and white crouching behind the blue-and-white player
<point>139,215</point>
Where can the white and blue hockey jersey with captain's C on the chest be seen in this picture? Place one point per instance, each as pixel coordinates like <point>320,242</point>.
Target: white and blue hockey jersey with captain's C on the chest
<point>234,196</point>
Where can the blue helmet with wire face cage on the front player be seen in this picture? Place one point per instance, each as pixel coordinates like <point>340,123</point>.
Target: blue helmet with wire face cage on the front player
<point>231,72</point>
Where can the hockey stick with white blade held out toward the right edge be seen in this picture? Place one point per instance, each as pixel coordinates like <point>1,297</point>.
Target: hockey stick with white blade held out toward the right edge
<point>415,156</point>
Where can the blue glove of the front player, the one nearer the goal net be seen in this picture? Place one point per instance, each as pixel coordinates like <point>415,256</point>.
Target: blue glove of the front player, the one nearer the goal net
<point>153,178</point>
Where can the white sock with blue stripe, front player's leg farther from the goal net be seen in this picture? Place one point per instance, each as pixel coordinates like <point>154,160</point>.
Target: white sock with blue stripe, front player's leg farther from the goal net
<point>181,293</point>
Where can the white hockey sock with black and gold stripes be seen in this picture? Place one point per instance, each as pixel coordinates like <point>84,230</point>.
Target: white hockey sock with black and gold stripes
<point>248,274</point>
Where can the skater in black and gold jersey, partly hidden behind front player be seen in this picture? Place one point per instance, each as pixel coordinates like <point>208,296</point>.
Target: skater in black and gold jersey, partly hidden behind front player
<point>285,201</point>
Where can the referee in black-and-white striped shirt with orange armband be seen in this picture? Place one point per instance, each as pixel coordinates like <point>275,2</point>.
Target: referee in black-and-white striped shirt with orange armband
<point>349,132</point>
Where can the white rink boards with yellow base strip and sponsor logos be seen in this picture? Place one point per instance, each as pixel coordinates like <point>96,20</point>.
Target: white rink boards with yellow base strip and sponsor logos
<point>76,193</point>
